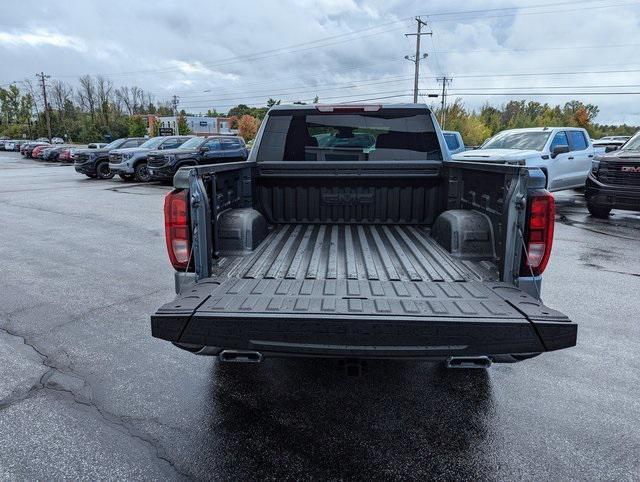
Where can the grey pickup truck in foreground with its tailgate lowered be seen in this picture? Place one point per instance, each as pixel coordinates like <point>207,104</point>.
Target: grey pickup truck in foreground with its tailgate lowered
<point>386,250</point>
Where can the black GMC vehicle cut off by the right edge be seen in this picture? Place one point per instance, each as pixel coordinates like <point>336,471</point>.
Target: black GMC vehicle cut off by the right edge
<point>614,180</point>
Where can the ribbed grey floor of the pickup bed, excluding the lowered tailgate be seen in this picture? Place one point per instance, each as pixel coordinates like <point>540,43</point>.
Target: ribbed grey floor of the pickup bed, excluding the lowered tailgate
<point>353,252</point>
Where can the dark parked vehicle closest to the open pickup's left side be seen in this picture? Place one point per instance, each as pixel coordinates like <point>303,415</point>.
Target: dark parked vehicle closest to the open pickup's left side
<point>163,164</point>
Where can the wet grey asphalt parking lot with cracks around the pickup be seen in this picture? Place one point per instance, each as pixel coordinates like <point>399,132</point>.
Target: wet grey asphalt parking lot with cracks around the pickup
<point>86,392</point>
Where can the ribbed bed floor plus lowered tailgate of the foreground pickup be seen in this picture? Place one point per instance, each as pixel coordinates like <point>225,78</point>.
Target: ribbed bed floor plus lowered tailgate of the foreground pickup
<point>359,290</point>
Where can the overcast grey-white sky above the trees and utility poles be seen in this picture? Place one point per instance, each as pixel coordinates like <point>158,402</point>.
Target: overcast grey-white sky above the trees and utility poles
<point>221,53</point>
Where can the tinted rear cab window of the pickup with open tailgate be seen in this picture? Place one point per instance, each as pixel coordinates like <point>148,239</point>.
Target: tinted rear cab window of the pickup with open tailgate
<point>393,134</point>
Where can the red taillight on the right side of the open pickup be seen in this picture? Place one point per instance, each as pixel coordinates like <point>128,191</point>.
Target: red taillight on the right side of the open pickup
<point>539,232</point>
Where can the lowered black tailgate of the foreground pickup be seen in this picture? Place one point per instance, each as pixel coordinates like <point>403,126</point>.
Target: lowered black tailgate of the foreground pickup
<point>325,317</point>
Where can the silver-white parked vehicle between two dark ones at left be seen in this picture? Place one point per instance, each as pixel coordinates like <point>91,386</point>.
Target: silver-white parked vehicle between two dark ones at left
<point>131,163</point>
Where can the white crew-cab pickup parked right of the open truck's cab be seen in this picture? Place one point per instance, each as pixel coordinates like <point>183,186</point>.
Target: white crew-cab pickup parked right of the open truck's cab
<point>564,154</point>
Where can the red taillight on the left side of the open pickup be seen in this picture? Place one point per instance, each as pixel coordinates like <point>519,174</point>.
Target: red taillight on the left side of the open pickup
<point>176,228</point>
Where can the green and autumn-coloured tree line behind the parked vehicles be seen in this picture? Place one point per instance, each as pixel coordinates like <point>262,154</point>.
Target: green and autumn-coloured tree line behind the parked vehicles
<point>95,109</point>
